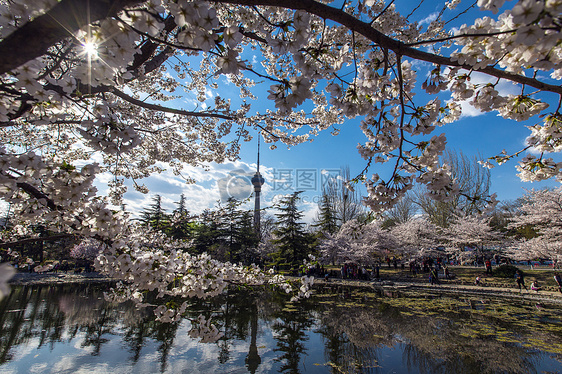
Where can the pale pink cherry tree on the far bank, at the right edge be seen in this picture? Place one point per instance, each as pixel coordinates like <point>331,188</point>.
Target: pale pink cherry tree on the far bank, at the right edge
<point>541,211</point>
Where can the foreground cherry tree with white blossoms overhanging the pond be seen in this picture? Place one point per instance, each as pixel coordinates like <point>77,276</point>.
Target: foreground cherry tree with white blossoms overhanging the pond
<point>85,80</point>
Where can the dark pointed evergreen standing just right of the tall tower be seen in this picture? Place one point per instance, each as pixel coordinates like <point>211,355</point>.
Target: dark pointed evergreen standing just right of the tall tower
<point>293,241</point>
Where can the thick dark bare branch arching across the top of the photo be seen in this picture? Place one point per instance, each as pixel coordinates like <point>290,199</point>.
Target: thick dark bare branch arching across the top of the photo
<point>34,38</point>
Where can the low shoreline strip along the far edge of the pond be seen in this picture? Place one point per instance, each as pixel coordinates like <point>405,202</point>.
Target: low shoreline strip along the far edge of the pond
<point>22,278</point>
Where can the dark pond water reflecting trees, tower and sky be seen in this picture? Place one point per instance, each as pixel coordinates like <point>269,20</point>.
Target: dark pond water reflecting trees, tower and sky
<point>72,329</point>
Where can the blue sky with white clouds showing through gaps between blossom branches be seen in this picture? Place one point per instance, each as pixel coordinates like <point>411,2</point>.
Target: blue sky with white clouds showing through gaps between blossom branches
<point>474,134</point>
